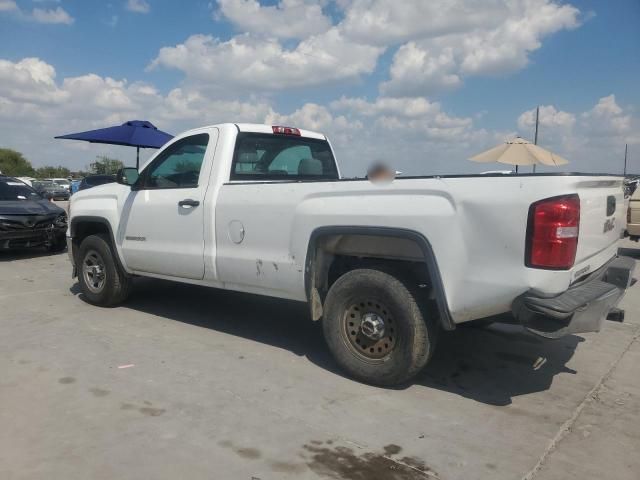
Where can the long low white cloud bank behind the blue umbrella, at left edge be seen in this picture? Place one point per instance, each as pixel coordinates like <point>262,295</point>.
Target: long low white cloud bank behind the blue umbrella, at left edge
<point>35,106</point>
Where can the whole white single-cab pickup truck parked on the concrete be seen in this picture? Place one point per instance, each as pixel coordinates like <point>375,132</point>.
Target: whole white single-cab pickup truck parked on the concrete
<point>385,266</point>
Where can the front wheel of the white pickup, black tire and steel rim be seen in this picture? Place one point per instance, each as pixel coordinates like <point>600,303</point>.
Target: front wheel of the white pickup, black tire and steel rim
<point>109,285</point>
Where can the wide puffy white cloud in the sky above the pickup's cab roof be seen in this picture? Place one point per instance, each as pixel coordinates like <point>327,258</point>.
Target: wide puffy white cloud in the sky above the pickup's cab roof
<point>249,63</point>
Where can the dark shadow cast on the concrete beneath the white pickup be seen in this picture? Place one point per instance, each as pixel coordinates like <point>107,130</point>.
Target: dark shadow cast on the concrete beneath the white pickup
<point>490,365</point>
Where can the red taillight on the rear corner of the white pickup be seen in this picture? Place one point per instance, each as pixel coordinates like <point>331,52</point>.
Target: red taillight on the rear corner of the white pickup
<point>552,233</point>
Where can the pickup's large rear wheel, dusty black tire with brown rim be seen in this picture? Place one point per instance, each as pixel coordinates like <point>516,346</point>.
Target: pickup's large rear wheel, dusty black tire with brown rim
<point>411,334</point>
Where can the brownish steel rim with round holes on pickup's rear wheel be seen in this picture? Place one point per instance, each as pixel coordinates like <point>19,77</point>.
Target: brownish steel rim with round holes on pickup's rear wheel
<point>364,346</point>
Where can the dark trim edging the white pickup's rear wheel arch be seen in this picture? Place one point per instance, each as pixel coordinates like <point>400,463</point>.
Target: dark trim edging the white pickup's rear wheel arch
<point>427,251</point>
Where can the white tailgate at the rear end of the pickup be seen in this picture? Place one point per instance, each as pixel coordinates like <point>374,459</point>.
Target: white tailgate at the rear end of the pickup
<point>602,219</point>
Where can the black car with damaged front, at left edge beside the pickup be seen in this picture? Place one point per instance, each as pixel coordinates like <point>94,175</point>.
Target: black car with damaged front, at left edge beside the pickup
<point>27,219</point>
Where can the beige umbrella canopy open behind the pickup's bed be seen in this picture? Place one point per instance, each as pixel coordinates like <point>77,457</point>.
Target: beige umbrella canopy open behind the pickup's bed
<point>520,152</point>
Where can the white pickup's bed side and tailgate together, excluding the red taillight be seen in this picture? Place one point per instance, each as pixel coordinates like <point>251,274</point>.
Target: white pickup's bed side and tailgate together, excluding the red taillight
<point>476,226</point>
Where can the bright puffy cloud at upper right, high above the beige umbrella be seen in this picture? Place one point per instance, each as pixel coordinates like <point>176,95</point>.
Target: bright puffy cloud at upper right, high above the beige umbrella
<point>439,62</point>
